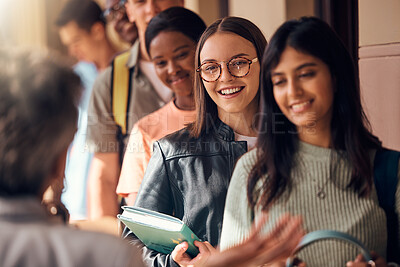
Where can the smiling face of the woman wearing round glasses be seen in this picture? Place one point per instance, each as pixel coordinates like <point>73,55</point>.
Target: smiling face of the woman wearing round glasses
<point>231,94</point>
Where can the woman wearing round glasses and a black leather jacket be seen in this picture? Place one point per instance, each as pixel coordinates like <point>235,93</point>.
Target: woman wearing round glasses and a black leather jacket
<point>189,171</point>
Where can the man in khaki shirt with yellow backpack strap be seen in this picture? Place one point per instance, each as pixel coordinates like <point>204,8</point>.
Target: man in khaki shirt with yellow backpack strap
<point>146,93</point>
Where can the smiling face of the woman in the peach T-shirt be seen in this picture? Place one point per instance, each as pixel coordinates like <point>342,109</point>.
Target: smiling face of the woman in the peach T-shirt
<point>173,56</point>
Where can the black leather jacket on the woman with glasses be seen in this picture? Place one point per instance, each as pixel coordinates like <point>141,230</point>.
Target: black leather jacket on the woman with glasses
<point>188,178</point>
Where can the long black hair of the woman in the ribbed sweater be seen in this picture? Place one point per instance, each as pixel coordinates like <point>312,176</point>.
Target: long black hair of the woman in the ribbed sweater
<point>350,129</point>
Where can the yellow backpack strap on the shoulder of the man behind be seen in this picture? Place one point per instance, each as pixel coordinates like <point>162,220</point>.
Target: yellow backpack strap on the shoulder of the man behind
<point>120,90</point>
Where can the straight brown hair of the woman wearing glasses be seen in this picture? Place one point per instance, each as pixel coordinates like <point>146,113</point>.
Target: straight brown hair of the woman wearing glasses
<point>206,108</point>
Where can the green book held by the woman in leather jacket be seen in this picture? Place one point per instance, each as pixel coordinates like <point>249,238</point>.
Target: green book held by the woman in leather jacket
<point>158,231</point>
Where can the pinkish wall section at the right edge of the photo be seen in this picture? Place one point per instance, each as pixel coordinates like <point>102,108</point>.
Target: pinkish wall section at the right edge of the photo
<point>379,62</point>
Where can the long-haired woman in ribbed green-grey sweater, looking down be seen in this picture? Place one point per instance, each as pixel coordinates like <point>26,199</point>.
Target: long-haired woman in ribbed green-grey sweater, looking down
<point>315,151</point>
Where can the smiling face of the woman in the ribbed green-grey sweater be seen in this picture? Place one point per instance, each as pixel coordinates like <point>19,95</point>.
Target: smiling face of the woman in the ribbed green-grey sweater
<point>303,89</point>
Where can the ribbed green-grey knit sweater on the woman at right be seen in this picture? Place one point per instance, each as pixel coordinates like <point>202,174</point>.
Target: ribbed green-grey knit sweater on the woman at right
<point>341,209</point>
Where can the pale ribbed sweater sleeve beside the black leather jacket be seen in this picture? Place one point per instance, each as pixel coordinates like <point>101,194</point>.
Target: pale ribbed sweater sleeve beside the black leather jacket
<point>238,215</point>
